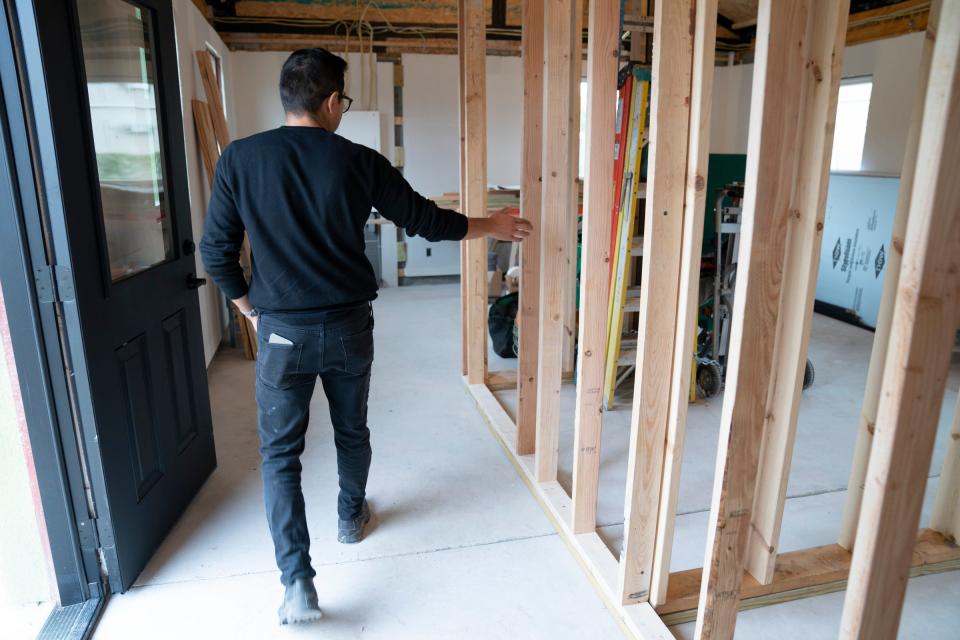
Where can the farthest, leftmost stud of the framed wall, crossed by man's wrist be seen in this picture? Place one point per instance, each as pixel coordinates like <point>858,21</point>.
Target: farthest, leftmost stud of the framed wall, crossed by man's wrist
<point>474,198</point>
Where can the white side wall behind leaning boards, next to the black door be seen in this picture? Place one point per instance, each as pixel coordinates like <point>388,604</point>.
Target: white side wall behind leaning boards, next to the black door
<point>193,33</point>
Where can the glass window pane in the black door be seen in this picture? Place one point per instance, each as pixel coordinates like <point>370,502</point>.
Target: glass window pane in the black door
<point>118,57</point>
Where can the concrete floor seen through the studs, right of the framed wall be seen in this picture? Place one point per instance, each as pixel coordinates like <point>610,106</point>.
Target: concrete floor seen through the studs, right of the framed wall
<point>826,433</point>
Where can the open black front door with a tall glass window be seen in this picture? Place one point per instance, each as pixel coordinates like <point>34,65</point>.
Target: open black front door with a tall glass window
<point>109,139</point>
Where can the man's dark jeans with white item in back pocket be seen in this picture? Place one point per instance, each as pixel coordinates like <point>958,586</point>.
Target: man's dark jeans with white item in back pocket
<point>337,347</point>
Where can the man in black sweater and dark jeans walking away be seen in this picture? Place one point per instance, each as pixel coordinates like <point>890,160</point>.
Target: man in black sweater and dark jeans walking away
<point>303,195</point>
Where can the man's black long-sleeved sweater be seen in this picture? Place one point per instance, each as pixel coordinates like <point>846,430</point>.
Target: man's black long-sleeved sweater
<point>303,195</point>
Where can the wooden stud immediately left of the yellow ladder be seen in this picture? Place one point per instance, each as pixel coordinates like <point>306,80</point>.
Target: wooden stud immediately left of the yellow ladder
<point>602,63</point>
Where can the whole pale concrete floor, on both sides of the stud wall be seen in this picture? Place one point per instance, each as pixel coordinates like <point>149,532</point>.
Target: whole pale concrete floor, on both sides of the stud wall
<point>459,548</point>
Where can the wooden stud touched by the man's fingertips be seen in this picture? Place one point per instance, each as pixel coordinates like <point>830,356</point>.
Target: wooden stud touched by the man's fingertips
<point>530,200</point>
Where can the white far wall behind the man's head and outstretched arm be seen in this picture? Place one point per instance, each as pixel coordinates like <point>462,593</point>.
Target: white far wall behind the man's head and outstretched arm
<point>430,126</point>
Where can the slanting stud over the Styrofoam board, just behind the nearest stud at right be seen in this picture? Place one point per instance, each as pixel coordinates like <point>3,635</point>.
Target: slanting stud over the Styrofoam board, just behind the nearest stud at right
<point>881,337</point>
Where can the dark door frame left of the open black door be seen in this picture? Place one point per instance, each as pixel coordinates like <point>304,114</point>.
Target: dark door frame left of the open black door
<point>35,306</point>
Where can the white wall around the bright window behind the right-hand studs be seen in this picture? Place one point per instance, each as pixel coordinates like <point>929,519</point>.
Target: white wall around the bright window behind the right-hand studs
<point>893,63</point>
